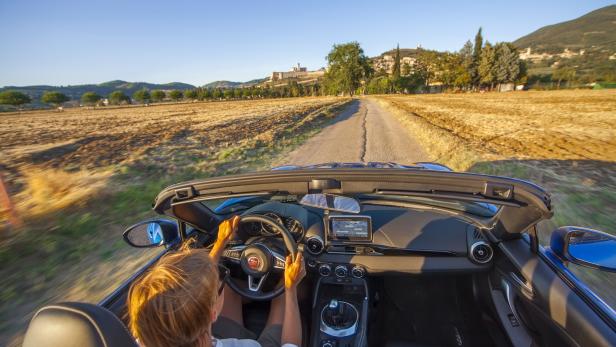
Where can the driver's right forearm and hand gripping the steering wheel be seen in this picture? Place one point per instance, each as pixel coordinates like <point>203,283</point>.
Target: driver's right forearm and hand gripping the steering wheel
<point>292,326</point>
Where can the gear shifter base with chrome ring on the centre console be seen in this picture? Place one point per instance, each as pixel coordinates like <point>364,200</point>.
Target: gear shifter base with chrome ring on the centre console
<point>339,319</point>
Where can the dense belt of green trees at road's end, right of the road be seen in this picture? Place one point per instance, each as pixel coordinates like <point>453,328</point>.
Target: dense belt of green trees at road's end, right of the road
<point>478,66</point>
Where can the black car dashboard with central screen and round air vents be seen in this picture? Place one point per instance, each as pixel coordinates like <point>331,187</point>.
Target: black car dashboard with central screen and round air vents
<point>381,239</point>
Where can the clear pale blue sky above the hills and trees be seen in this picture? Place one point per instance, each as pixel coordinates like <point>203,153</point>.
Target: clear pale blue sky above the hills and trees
<point>73,42</point>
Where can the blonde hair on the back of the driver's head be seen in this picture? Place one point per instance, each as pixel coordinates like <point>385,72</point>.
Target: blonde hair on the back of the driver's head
<point>172,304</point>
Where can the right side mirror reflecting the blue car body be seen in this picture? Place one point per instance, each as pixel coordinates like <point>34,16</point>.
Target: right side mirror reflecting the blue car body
<point>586,247</point>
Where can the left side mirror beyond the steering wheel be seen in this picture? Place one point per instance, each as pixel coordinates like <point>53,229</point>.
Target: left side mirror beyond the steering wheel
<point>152,233</point>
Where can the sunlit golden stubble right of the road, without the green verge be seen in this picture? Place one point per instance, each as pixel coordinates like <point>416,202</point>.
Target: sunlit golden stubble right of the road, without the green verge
<point>574,124</point>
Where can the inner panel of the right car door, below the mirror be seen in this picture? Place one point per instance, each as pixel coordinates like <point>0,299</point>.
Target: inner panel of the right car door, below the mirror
<point>547,304</point>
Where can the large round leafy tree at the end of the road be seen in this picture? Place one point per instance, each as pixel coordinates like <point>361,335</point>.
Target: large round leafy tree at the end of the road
<point>347,67</point>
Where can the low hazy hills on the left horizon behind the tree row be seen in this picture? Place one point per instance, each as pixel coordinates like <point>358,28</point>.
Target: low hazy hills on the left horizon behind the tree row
<point>104,89</point>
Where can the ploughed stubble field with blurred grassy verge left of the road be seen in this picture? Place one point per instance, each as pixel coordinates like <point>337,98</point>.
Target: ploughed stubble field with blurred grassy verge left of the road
<point>80,176</point>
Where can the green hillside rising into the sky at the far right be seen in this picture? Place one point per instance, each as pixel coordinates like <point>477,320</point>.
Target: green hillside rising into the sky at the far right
<point>591,31</point>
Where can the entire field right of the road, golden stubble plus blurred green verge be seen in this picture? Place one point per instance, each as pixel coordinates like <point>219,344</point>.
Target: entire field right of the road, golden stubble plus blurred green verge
<point>564,141</point>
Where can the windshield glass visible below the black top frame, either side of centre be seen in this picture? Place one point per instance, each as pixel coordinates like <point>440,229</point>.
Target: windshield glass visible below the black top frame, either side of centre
<point>225,206</point>
